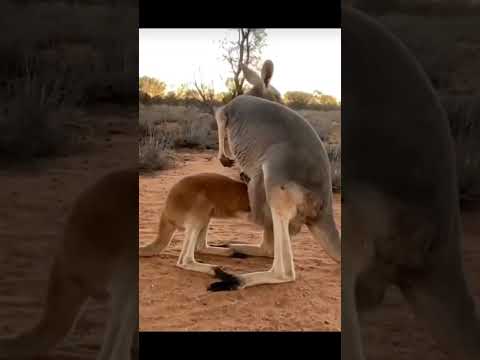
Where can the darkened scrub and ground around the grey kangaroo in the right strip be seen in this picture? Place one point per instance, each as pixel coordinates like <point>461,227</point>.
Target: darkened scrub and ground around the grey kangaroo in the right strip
<point>444,36</point>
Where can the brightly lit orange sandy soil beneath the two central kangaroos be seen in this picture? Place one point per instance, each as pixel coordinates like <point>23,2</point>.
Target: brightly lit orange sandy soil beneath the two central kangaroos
<point>175,299</point>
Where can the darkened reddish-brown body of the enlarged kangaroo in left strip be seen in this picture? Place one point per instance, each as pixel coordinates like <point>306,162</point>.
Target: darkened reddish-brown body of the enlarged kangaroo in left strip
<point>98,249</point>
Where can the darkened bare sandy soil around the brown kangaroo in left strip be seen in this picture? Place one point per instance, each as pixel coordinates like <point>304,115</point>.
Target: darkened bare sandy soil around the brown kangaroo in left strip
<point>34,202</point>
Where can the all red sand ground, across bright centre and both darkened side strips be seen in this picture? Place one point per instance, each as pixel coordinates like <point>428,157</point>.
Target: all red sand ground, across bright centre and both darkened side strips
<point>33,208</point>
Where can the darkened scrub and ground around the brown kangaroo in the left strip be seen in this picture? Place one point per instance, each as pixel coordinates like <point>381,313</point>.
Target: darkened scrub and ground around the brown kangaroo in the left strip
<point>68,115</point>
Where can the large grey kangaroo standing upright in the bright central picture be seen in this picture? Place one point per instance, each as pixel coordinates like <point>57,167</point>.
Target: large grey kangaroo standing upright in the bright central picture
<point>289,172</point>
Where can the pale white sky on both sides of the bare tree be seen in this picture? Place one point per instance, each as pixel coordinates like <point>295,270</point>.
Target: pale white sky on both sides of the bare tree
<point>304,59</point>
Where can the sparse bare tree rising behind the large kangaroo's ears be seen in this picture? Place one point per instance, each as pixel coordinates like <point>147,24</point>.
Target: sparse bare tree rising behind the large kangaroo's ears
<point>245,49</point>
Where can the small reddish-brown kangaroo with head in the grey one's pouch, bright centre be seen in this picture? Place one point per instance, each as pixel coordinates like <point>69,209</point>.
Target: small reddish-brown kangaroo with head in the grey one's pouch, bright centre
<point>190,205</point>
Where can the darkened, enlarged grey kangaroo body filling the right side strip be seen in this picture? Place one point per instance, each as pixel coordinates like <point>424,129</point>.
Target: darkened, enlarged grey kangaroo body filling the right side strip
<point>401,219</point>
